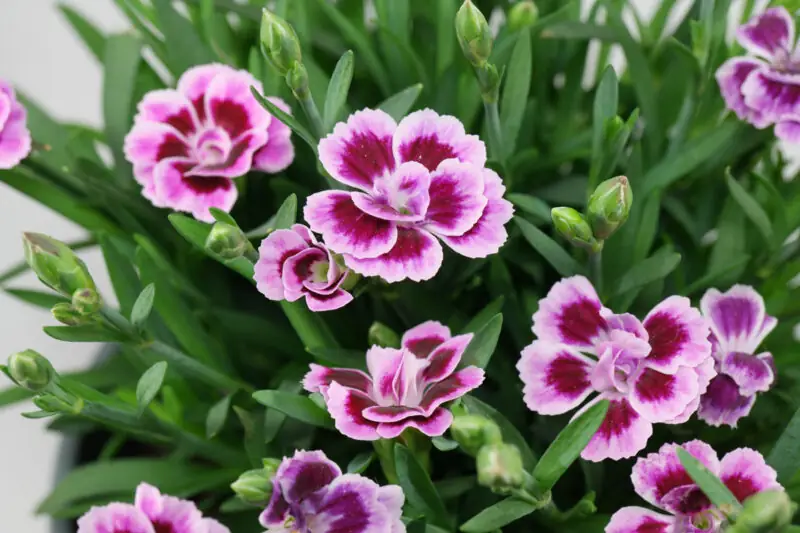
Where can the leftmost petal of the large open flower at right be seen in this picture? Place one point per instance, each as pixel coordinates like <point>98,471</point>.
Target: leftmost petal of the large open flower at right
<point>556,377</point>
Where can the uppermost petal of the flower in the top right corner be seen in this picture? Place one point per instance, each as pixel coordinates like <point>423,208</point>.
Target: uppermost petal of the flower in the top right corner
<point>769,34</point>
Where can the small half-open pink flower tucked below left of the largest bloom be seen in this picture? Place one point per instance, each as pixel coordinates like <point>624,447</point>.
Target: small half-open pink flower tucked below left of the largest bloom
<point>292,265</point>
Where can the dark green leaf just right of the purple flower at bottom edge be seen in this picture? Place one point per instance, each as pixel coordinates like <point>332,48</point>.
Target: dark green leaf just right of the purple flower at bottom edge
<point>418,487</point>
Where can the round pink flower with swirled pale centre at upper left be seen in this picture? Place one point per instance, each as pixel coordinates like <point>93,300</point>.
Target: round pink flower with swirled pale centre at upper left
<point>188,143</point>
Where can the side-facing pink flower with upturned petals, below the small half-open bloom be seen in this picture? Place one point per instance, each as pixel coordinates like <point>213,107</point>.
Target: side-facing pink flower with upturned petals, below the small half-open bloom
<point>405,388</point>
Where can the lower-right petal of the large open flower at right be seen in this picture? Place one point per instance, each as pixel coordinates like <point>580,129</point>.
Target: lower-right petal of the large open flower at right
<point>660,397</point>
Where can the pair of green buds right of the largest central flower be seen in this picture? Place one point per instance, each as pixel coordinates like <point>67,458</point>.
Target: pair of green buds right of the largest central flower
<point>608,209</point>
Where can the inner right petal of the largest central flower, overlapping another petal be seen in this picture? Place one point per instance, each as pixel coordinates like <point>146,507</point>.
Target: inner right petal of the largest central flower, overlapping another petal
<point>456,198</point>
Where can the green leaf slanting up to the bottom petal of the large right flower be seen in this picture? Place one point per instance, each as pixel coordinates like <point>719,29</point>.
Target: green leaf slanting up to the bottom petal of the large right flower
<point>568,445</point>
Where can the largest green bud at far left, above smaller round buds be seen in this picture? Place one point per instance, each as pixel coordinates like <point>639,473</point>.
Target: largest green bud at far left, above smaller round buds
<point>55,264</point>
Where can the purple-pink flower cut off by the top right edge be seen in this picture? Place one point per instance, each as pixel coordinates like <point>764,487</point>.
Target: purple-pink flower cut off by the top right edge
<point>763,88</point>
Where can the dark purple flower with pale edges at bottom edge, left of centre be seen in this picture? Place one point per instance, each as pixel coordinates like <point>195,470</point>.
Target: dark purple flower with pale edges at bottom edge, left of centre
<point>311,495</point>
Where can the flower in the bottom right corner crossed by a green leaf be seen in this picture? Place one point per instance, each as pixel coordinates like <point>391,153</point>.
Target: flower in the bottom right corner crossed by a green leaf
<point>660,479</point>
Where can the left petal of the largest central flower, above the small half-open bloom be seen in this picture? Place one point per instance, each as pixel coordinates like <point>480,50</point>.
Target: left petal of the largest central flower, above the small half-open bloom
<point>345,228</point>
